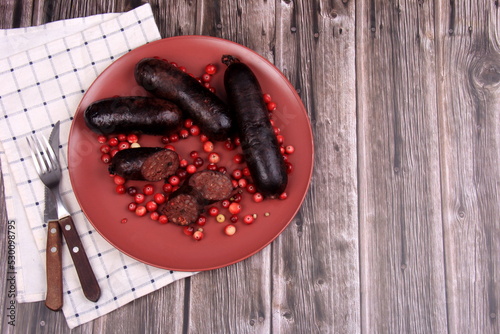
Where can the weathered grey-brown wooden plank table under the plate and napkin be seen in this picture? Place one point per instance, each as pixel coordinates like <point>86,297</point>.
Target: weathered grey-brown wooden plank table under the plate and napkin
<point>400,230</point>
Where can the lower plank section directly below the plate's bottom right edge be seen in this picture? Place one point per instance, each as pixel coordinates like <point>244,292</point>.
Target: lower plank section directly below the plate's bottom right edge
<point>235,299</point>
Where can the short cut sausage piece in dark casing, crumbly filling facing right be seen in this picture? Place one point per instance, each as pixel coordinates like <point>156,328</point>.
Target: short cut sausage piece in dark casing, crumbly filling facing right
<point>145,163</point>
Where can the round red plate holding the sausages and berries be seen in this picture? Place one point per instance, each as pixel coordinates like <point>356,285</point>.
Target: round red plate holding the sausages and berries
<point>166,246</point>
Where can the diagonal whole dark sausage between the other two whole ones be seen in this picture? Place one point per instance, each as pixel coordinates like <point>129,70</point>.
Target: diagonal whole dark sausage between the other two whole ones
<point>168,82</point>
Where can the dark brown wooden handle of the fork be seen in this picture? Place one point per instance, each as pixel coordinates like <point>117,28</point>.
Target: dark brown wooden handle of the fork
<point>85,273</point>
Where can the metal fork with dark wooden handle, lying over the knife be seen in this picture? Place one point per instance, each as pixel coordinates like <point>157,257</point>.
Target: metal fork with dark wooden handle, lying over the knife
<point>49,170</point>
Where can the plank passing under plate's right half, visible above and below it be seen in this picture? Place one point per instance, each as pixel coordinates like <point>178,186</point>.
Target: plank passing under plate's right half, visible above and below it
<point>236,298</point>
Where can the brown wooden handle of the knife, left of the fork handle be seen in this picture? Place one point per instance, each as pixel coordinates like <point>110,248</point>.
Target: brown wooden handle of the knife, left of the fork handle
<point>54,300</point>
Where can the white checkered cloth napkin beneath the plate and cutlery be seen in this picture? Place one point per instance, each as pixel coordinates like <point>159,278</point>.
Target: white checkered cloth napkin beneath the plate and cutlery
<point>44,73</point>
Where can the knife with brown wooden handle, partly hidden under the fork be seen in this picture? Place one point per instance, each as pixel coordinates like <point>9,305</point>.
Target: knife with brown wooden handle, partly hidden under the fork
<point>54,297</point>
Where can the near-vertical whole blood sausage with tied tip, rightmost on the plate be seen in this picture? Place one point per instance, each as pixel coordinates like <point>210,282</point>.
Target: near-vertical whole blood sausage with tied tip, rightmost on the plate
<point>258,141</point>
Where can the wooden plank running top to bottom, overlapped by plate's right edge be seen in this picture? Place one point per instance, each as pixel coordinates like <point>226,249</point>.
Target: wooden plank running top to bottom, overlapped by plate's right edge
<point>315,261</point>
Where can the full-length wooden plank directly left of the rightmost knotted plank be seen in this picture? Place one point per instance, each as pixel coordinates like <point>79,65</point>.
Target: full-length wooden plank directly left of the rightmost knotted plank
<point>402,268</point>
